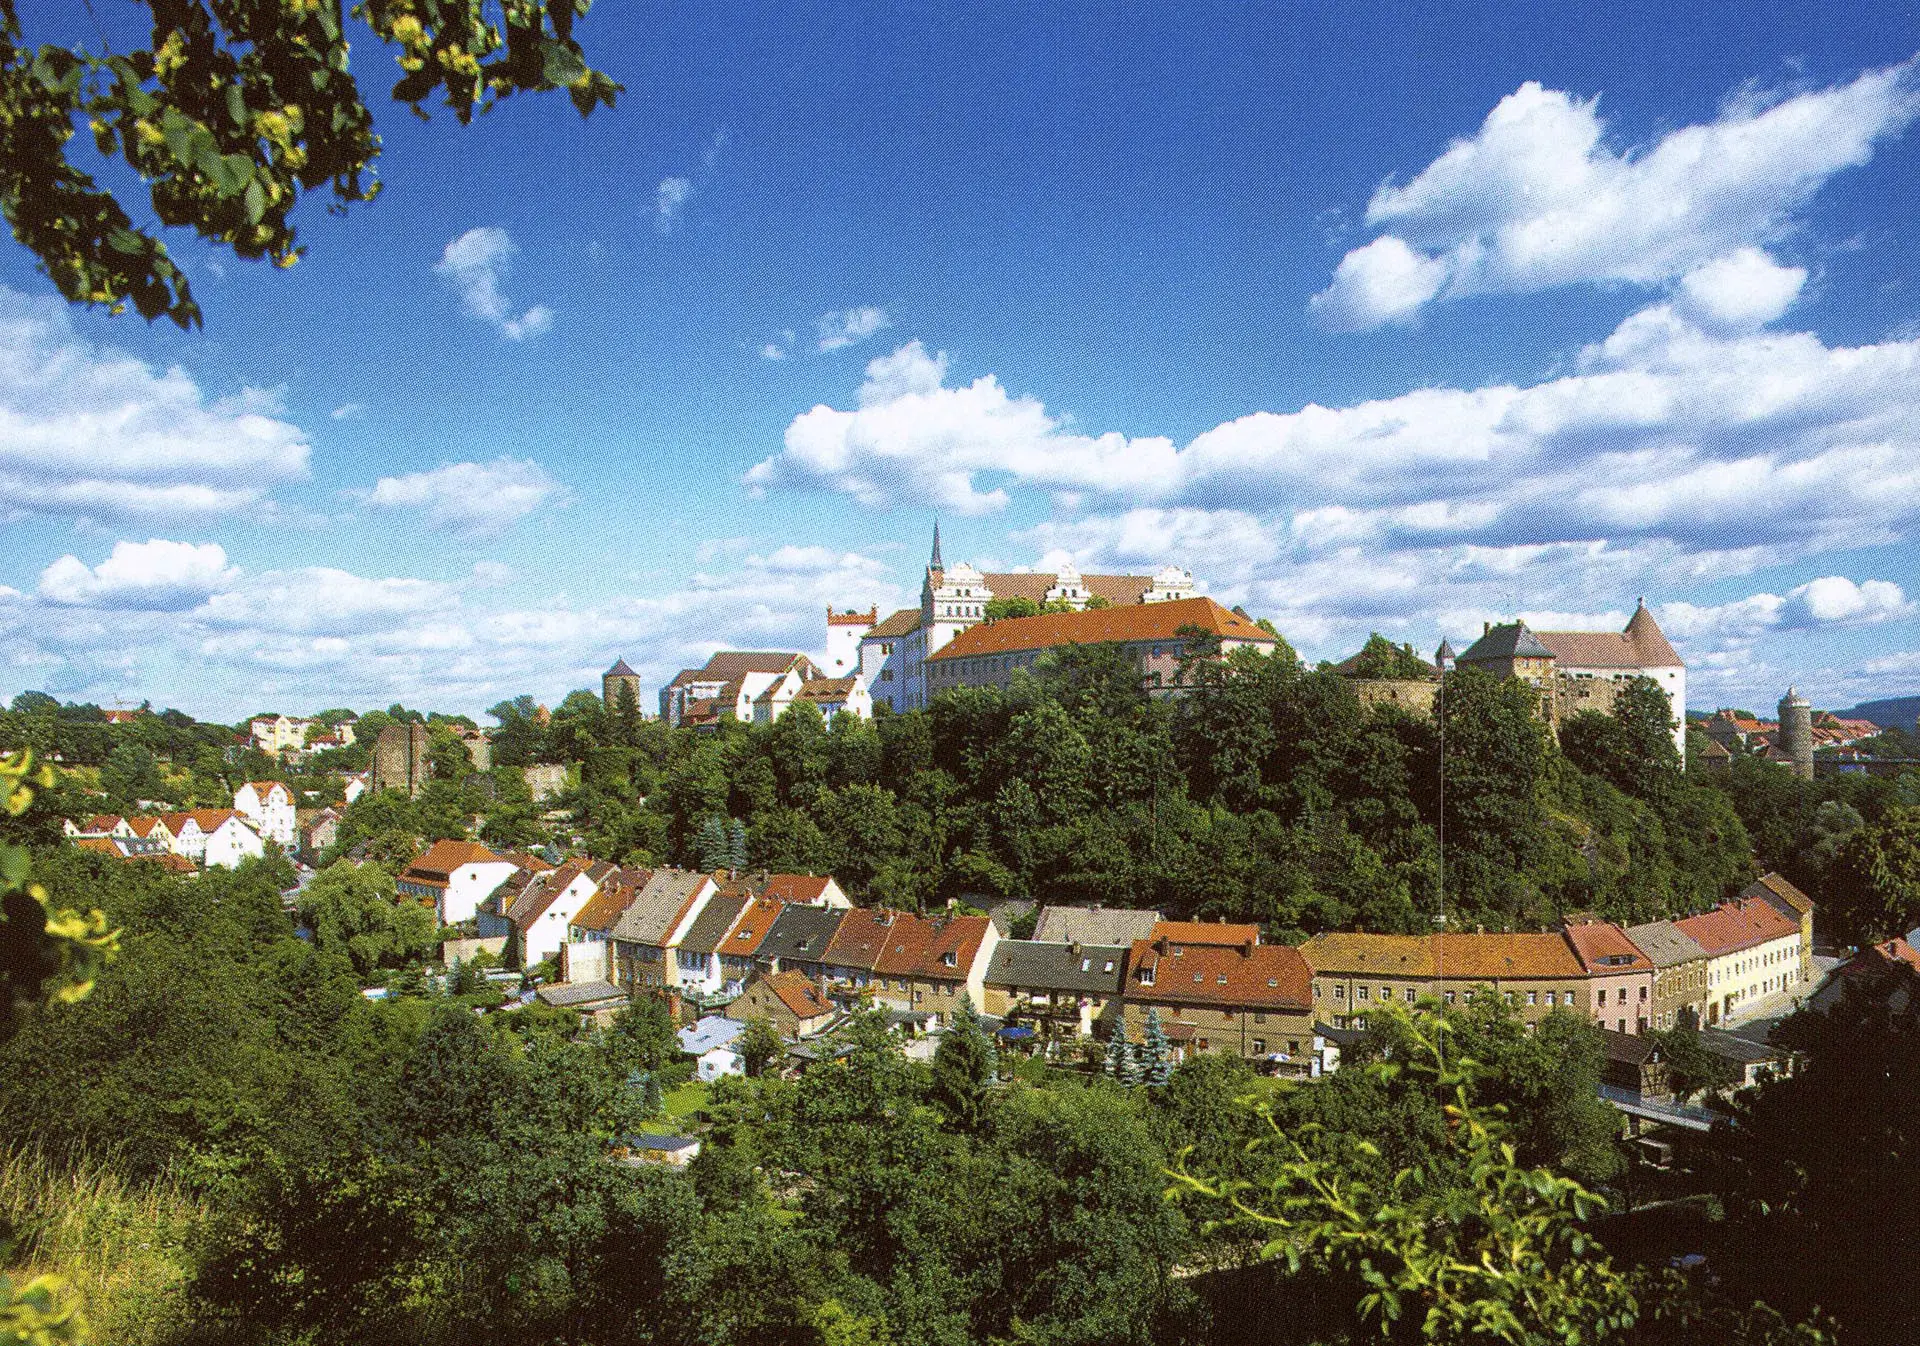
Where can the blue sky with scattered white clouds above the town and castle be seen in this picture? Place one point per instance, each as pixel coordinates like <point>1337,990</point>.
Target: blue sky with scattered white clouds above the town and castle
<point>1378,320</point>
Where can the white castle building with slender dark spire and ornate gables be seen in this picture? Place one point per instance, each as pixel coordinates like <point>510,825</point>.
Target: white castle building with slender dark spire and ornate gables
<point>892,656</point>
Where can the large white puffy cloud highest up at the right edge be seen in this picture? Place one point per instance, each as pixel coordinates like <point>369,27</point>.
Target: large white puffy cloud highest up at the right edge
<point>1537,199</point>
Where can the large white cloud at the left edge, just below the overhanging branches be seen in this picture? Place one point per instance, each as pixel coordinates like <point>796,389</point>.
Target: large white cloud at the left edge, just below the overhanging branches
<point>93,433</point>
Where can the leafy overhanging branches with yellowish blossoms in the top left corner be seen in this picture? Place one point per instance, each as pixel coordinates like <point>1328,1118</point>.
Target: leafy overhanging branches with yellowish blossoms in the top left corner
<point>231,116</point>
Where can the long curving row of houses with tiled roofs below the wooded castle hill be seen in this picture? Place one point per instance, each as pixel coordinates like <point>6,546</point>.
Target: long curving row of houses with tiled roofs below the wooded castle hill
<point>794,948</point>
